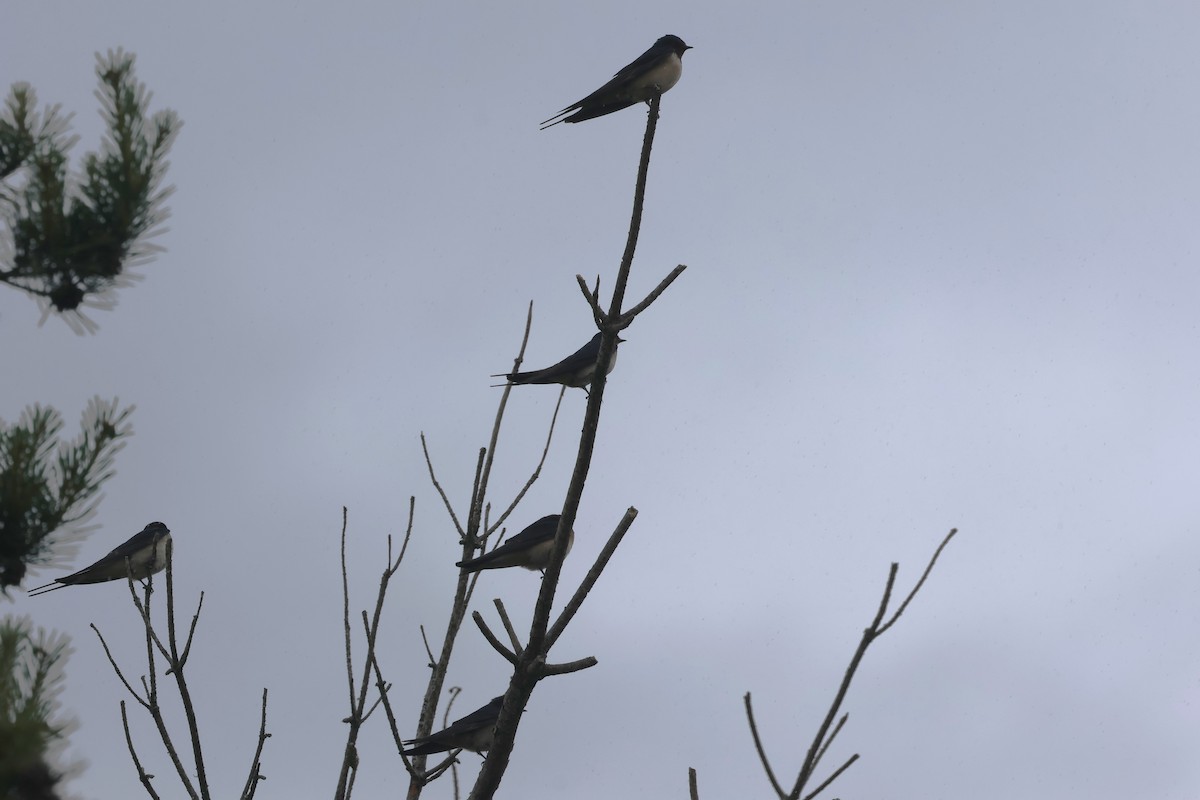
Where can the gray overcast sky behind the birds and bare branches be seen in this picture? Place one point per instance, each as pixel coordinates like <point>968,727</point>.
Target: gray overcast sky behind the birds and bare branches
<point>943,273</point>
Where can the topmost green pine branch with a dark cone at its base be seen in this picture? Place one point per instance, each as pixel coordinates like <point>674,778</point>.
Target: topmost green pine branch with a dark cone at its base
<point>74,237</point>
